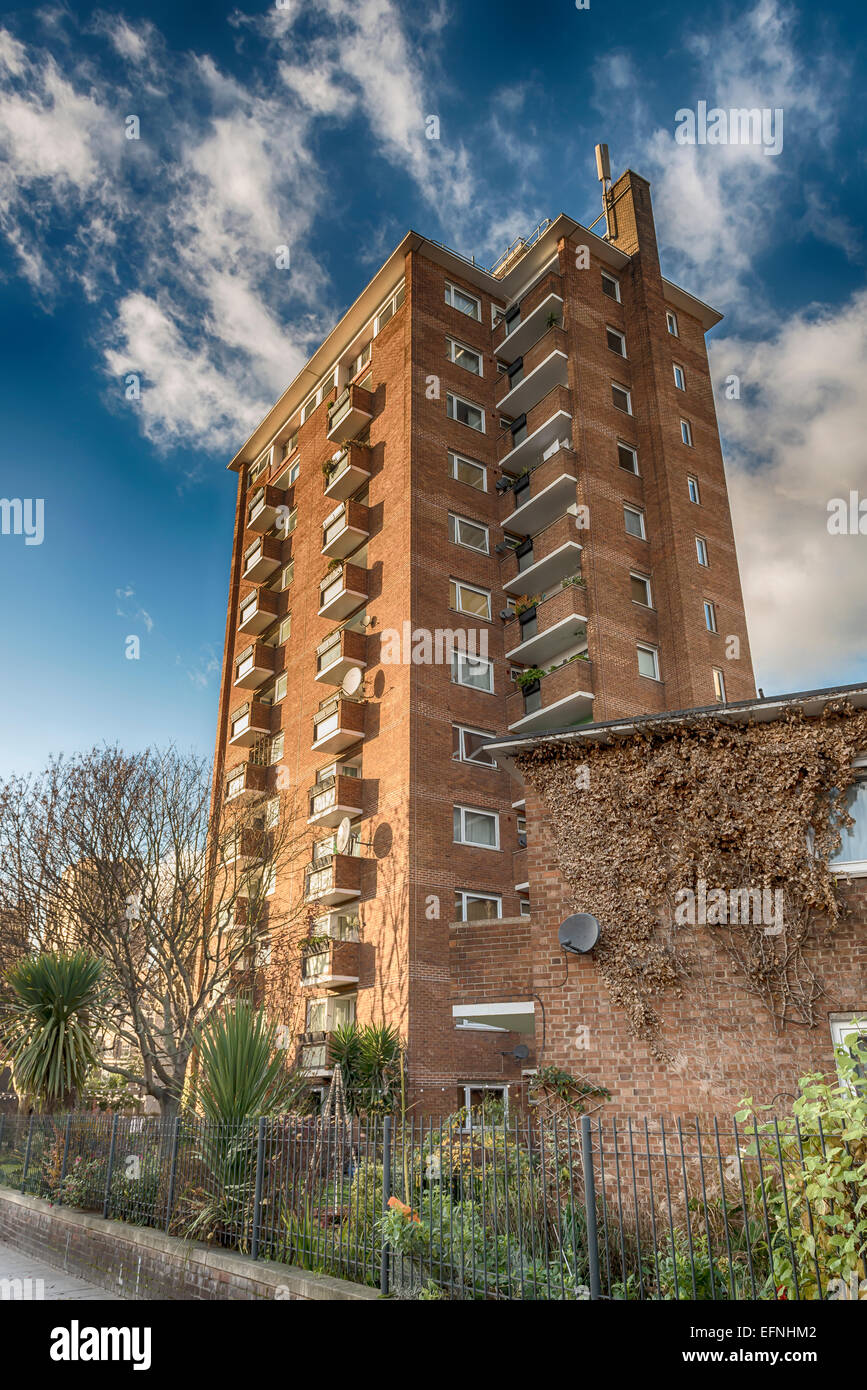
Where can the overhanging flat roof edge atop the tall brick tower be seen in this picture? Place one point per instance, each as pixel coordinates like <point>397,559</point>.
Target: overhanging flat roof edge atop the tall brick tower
<point>501,287</point>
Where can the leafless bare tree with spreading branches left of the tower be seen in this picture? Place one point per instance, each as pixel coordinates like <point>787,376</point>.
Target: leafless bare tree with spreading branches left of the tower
<point>170,883</point>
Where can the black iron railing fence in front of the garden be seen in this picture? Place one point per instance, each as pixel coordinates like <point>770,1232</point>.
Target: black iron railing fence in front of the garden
<point>520,1210</point>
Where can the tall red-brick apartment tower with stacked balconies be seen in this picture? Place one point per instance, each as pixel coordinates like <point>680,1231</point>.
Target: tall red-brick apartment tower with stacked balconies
<point>493,502</point>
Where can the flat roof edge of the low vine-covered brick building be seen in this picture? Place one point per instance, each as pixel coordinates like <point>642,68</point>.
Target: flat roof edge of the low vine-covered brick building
<point>763,711</point>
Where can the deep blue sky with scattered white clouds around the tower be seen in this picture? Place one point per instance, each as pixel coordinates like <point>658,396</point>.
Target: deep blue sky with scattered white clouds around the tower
<point>305,126</point>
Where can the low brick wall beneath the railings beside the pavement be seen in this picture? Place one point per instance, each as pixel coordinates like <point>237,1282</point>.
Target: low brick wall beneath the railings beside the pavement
<point>138,1263</point>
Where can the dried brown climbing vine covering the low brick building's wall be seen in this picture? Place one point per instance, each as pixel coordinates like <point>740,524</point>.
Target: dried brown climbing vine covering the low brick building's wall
<point>738,807</point>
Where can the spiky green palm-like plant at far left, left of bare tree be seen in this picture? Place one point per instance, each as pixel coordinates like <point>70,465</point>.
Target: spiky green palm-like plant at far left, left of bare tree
<point>48,1029</point>
